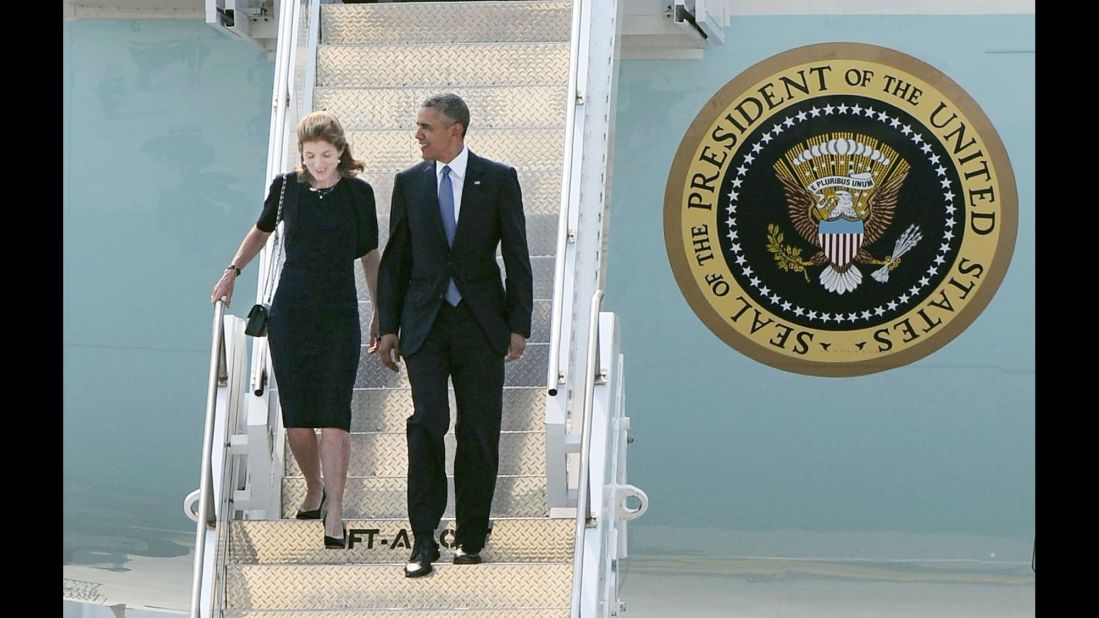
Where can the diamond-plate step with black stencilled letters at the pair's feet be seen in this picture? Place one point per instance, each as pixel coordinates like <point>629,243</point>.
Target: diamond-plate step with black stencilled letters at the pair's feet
<point>388,542</point>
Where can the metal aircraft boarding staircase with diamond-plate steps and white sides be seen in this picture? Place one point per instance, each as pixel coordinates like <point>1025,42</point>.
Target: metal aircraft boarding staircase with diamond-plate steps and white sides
<point>375,64</point>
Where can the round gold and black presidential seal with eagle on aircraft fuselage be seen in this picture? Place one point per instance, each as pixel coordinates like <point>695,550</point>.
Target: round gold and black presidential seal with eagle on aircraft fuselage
<point>840,209</point>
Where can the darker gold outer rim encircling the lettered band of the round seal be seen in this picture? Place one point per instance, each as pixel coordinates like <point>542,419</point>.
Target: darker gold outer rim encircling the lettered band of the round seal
<point>773,67</point>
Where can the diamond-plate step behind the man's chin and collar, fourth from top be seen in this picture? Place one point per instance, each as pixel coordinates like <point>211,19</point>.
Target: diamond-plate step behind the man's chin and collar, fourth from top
<point>528,149</point>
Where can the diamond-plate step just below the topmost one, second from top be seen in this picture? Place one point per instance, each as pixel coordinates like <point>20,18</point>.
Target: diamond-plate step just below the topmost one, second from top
<point>442,67</point>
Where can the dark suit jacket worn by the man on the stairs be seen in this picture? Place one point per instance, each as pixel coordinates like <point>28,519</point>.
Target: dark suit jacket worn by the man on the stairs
<point>417,262</point>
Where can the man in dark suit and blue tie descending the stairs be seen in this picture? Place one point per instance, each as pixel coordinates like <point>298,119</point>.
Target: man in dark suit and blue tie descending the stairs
<point>440,289</point>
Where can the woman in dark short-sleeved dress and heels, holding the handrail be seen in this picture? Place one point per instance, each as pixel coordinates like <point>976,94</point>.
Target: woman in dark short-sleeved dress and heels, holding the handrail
<point>314,333</point>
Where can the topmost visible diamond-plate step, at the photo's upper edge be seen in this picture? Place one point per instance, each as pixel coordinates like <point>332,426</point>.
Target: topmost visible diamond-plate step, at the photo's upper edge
<point>448,23</point>
